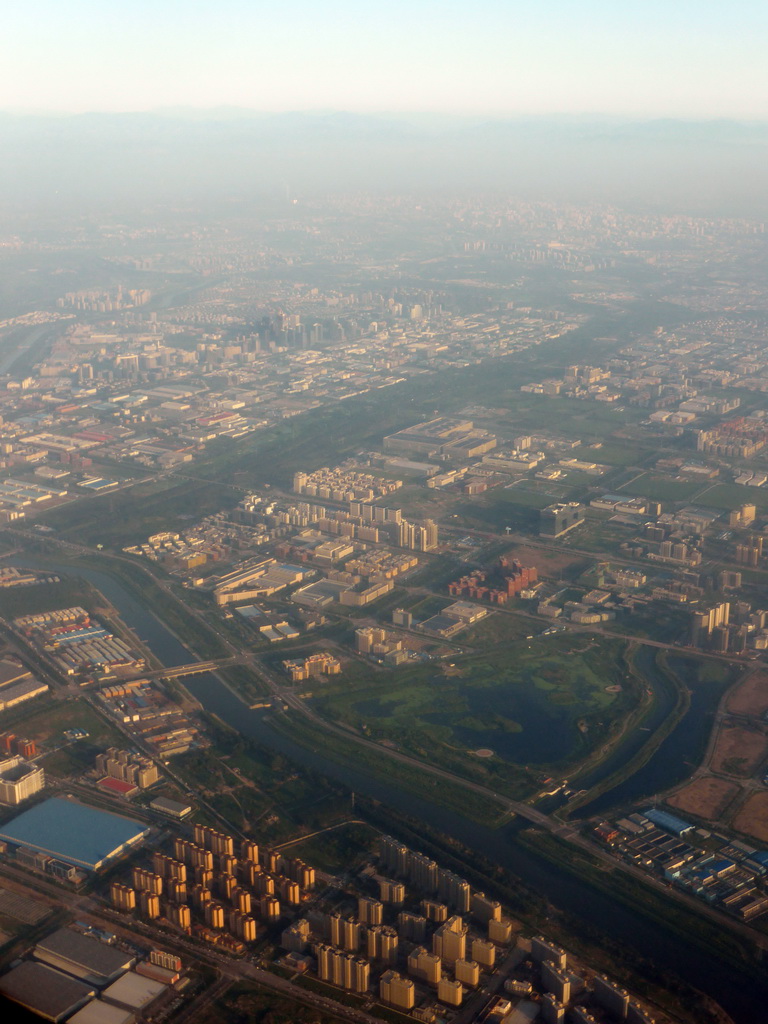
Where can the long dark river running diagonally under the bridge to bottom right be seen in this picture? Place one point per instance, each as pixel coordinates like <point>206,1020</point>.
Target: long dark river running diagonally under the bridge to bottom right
<point>738,992</point>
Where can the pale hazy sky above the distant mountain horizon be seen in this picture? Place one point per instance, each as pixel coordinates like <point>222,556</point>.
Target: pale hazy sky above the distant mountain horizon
<point>677,58</point>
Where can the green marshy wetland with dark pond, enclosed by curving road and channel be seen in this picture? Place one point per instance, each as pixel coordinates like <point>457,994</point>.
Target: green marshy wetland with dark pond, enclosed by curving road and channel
<point>539,704</point>
